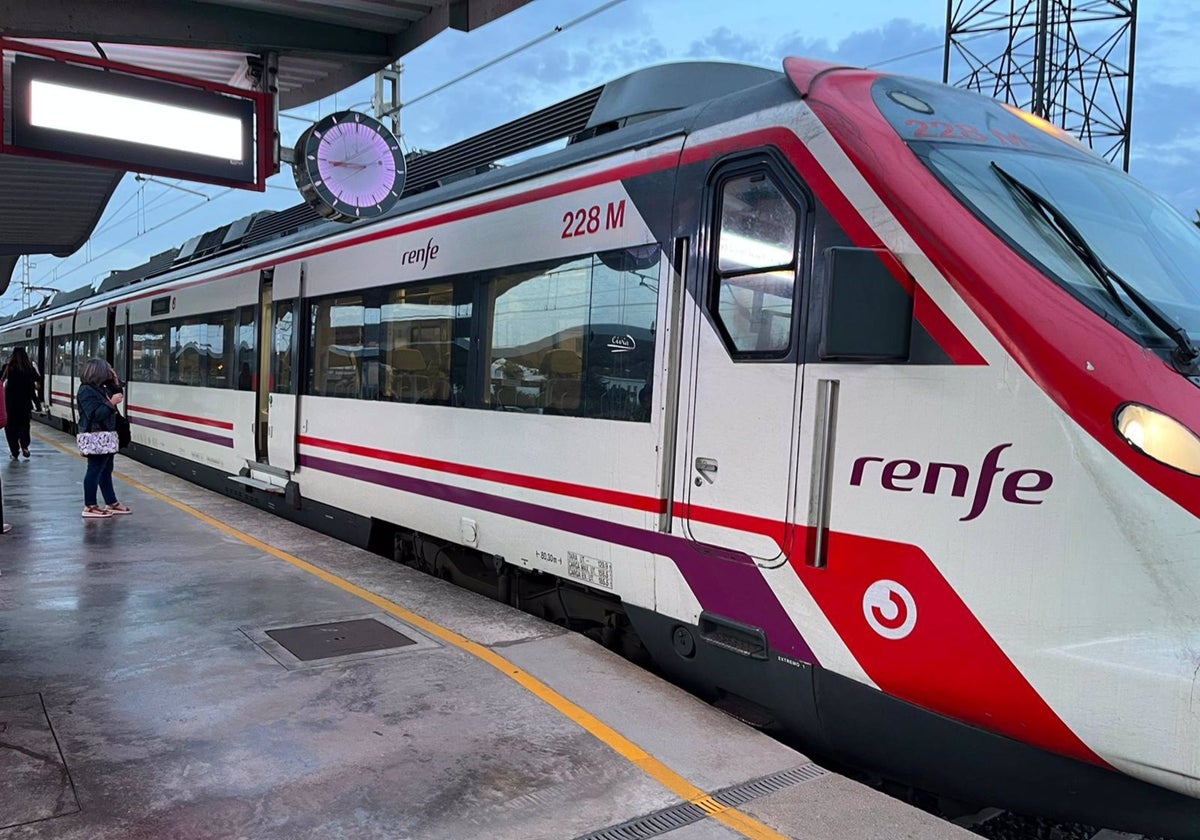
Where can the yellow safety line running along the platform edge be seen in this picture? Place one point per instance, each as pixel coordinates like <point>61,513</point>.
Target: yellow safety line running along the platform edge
<point>674,782</point>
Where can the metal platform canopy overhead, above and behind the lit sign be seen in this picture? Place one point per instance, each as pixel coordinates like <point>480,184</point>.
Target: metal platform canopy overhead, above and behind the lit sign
<point>322,47</point>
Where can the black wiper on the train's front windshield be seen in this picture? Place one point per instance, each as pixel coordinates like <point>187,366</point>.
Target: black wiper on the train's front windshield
<point>1186,353</point>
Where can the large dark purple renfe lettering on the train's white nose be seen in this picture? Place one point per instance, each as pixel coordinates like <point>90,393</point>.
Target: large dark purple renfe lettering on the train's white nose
<point>905,476</point>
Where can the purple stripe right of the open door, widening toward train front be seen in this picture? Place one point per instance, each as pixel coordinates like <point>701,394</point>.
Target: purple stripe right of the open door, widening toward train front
<point>725,583</point>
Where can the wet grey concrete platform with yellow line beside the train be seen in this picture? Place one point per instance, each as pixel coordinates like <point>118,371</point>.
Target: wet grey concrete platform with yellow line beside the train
<point>205,670</point>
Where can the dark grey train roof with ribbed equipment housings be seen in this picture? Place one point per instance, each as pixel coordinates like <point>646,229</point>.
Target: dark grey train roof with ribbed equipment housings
<point>638,109</point>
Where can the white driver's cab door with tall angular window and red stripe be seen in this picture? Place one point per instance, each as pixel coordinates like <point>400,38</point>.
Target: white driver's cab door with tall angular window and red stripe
<point>742,391</point>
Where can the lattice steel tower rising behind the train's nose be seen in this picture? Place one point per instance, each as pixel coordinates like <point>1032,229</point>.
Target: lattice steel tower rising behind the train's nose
<point>1070,62</point>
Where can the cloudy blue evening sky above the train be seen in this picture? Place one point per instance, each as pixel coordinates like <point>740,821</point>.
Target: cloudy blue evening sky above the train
<point>551,50</point>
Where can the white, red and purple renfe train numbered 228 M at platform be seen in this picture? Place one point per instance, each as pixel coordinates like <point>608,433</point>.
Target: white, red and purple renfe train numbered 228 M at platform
<point>862,406</point>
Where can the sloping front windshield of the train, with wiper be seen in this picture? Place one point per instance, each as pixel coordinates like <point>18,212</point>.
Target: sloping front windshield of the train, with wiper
<point>1082,221</point>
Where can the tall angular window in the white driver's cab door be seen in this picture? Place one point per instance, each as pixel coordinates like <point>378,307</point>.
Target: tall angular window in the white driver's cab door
<point>757,262</point>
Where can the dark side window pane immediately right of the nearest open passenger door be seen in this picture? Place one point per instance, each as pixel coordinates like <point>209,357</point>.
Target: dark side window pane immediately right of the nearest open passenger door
<point>403,345</point>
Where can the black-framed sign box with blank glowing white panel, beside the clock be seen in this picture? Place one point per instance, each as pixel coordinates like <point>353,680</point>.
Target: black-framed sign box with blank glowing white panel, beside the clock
<point>145,124</point>
